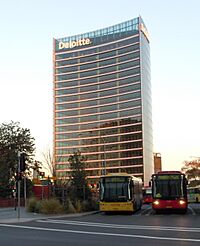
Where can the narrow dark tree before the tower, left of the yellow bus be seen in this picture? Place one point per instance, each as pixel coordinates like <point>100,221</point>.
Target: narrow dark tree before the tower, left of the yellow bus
<point>79,185</point>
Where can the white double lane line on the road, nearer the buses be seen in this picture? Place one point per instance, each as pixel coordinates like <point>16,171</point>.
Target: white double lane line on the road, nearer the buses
<point>136,227</point>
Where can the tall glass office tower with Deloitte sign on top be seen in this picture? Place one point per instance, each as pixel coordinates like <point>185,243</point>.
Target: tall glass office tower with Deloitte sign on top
<point>102,101</point>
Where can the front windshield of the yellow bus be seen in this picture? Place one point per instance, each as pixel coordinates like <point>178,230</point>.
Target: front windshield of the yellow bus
<point>114,189</point>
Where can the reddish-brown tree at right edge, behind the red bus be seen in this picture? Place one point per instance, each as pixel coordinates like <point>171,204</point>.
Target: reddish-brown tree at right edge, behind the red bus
<point>192,171</point>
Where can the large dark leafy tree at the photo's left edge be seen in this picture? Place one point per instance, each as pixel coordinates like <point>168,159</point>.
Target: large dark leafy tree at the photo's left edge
<point>13,139</point>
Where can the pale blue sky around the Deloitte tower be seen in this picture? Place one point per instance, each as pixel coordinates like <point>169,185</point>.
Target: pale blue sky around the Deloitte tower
<point>27,29</point>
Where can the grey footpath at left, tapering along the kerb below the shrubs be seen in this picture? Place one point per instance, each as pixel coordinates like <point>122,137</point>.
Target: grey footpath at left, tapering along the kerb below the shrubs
<point>10,215</point>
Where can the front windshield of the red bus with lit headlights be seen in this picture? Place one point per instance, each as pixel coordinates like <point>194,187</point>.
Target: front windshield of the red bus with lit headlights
<point>168,187</point>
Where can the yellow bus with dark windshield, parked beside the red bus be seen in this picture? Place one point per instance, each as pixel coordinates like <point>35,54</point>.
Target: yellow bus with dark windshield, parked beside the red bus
<point>120,192</point>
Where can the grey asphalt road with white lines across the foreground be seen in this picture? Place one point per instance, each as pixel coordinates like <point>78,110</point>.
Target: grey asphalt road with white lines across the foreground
<point>141,228</point>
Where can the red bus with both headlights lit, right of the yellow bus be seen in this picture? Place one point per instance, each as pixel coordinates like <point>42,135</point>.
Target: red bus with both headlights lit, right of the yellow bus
<point>169,191</point>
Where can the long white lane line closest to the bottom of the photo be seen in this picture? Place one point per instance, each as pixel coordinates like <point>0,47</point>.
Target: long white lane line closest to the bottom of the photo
<point>101,233</point>
